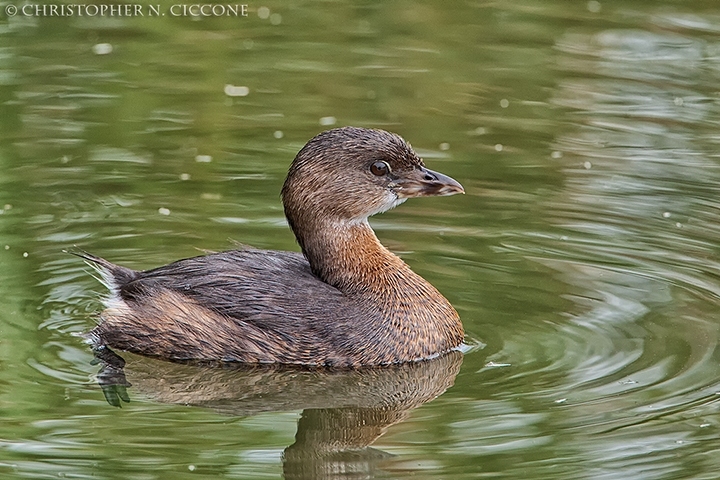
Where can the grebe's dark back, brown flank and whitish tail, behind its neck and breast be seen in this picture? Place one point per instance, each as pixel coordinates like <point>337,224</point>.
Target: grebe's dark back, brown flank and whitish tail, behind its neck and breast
<point>257,306</point>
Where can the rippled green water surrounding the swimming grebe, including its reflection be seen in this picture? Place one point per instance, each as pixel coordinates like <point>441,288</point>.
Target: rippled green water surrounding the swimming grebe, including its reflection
<point>583,258</point>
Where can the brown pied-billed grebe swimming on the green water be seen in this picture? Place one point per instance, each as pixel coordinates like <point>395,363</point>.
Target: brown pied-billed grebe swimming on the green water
<point>345,301</point>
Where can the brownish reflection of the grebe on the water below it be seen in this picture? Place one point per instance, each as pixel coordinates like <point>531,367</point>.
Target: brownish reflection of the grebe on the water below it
<point>344,411</point>
